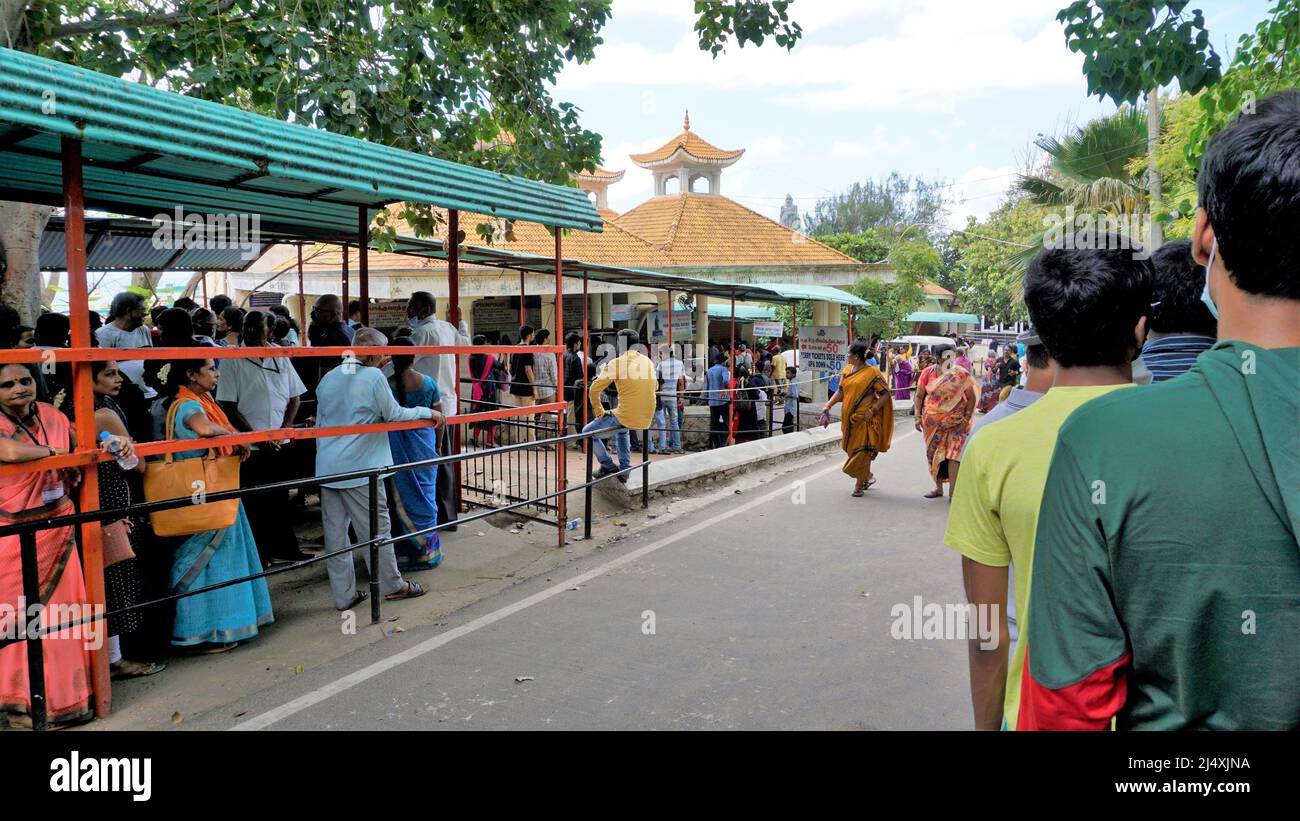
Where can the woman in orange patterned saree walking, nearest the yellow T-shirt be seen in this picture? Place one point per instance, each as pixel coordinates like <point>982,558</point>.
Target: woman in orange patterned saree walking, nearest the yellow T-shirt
<point>950,406</point>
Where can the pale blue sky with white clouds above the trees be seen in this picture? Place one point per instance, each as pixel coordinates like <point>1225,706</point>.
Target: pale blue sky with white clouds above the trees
<point>946,89</point>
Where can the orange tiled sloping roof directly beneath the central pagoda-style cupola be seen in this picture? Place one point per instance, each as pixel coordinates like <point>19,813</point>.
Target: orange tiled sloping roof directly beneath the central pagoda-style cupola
<point>704,229</point>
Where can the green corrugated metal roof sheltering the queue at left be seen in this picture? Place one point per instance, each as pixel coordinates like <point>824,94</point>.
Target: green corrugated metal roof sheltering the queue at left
<point>149,150</point>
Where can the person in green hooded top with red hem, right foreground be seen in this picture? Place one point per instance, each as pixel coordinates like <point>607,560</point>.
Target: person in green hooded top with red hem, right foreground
<point>1167,566</point>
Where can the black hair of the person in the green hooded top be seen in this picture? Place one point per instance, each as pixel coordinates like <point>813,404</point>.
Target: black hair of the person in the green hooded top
<point>1250,188</point>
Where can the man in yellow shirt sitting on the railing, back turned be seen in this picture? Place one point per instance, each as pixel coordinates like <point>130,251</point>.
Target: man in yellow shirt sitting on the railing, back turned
<point>634,376</point>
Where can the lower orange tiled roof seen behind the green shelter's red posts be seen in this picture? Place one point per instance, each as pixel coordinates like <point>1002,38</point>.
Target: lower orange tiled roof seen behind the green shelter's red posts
<point>616,246</point>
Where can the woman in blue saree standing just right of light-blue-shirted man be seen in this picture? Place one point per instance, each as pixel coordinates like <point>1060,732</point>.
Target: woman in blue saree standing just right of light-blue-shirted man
<point>413,494</point>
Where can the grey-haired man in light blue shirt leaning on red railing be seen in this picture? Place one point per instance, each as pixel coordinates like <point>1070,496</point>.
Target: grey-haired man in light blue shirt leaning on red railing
<point>357,393</point>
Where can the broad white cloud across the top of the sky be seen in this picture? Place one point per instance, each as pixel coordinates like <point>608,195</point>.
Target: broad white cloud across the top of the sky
<point>937,54</point>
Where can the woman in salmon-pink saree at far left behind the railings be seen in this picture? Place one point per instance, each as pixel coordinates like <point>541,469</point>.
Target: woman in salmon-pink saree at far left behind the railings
<point>32,431</point>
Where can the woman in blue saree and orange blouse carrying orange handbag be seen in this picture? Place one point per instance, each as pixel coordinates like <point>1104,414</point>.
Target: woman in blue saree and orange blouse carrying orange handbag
<point>219,620</point>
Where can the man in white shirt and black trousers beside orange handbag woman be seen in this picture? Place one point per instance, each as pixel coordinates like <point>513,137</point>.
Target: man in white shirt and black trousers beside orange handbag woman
<point>263,394</point>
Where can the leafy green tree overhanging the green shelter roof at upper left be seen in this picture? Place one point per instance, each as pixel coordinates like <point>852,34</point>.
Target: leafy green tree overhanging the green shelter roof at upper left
<point>441,77</point>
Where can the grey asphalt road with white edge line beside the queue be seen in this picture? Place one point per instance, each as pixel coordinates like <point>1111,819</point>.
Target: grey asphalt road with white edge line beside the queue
<point>772,610</point>
